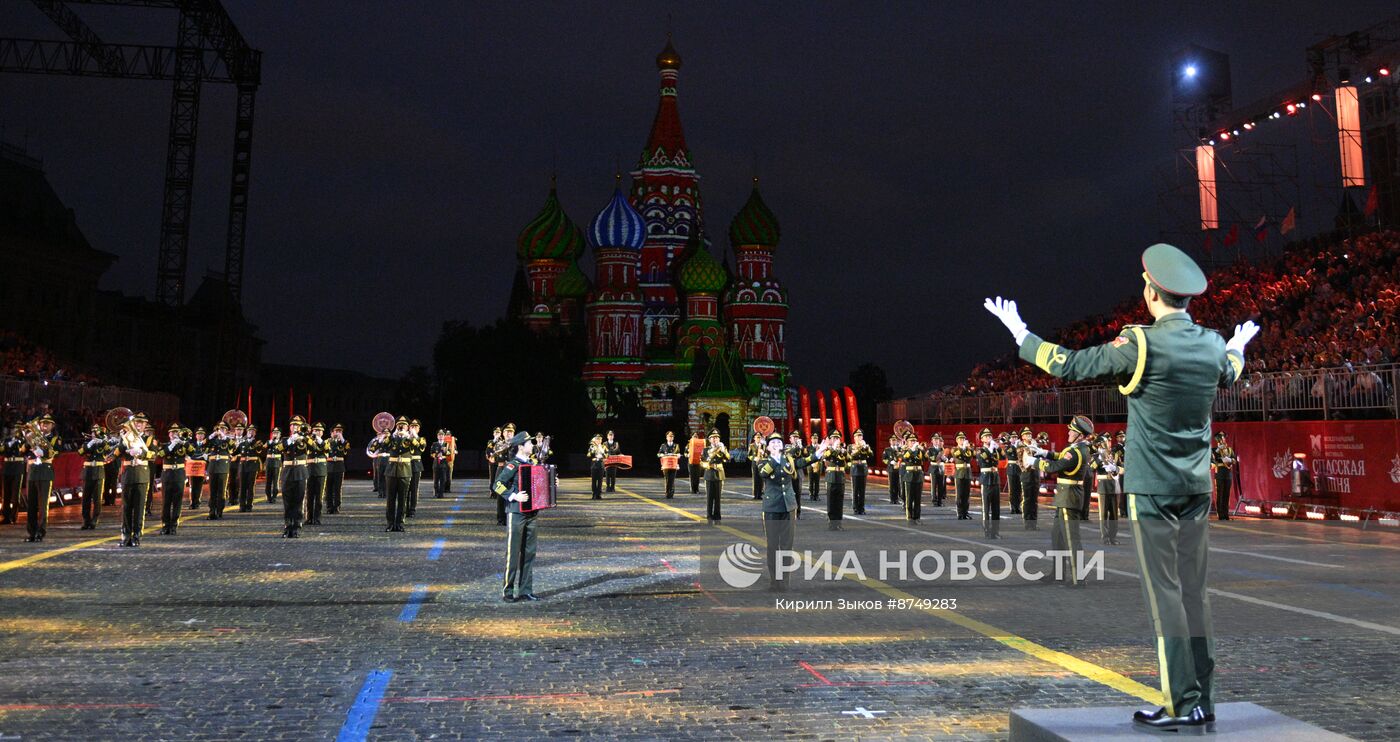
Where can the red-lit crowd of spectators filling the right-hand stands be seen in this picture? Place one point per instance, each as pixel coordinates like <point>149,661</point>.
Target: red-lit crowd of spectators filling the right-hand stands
<point>1324,304</point>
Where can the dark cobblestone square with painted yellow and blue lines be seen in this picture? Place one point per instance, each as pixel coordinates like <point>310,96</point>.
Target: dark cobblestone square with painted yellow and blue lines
<point>229,632</point>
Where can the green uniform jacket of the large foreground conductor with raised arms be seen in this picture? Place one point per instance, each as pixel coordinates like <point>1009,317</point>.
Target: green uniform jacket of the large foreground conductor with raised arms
<point>1171,370</point>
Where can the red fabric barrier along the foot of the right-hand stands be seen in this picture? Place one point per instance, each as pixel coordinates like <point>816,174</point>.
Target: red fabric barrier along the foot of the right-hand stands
<point>1354,464</point>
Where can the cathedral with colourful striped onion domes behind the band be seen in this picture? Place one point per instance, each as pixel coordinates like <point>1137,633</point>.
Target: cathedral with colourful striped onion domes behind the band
<point>668,327</point>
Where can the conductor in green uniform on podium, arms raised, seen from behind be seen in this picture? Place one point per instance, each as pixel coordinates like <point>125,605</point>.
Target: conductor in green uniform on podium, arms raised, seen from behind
<point>1171,372</point>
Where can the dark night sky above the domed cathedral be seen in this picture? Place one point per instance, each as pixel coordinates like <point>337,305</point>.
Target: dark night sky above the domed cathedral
<point>919,156</point>
